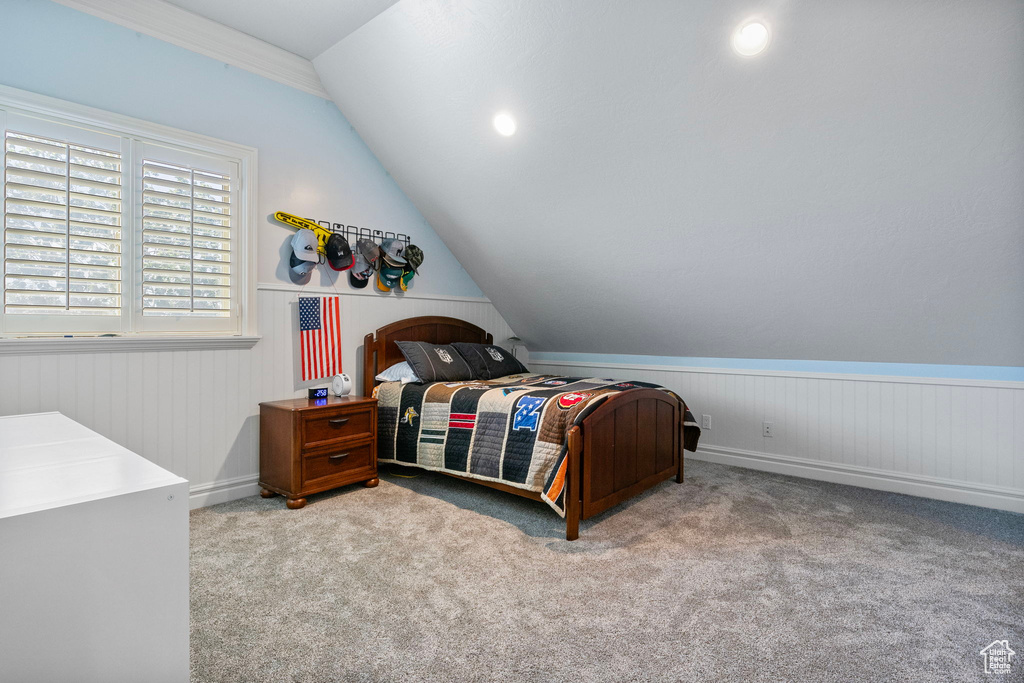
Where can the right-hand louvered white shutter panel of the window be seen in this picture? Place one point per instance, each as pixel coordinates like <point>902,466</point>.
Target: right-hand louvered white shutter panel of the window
<point>188,239</point>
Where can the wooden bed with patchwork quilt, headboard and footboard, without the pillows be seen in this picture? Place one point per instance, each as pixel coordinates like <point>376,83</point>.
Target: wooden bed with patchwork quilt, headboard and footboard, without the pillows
<point>608,441</point>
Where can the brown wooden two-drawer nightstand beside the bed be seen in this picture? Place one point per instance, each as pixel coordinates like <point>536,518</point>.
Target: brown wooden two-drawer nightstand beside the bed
<point>311,446</point>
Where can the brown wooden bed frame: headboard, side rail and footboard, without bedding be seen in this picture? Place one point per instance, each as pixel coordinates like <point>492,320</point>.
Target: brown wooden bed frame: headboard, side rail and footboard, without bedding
<point>629,444</point>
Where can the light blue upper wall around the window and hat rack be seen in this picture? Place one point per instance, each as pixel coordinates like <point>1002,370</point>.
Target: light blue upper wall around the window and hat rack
<point>312,162</point>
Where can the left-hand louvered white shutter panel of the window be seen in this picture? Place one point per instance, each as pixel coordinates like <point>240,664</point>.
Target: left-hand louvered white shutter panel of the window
<point>63,224</point>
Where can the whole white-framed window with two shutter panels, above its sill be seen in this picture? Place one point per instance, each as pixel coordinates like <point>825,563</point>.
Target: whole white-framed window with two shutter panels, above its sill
<point>116,226</point>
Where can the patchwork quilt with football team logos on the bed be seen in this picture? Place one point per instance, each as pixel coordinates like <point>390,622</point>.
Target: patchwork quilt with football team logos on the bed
<point>514,430</point>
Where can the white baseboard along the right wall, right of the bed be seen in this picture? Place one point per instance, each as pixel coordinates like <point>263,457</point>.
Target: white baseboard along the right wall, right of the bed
<point>913,485</point>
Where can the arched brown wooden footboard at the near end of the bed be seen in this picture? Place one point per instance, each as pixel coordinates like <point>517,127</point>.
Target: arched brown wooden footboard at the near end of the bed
<point>628,445</point>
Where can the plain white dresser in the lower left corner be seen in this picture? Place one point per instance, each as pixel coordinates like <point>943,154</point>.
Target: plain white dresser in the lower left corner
<point>94,559</point>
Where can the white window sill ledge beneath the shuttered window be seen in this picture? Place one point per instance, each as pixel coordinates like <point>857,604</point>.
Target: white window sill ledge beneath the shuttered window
<point>40,346</point>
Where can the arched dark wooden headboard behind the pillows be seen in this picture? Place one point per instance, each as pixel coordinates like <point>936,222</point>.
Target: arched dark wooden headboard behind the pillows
<point>380,351</point>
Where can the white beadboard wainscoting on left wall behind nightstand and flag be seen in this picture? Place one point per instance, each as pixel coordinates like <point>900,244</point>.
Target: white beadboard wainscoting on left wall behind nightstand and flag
<point>196,412</point>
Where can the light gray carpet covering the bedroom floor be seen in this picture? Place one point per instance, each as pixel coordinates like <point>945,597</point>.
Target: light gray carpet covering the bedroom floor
<point>735,576</point>
